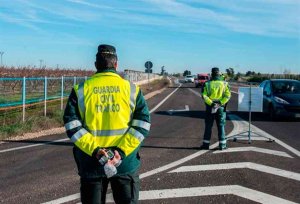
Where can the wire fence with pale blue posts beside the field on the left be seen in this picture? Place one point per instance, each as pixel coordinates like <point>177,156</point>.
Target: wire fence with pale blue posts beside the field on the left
<point>17,95</point>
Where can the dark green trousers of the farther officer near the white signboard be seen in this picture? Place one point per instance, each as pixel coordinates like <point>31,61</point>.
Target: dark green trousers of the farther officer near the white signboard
<point>220,118</point>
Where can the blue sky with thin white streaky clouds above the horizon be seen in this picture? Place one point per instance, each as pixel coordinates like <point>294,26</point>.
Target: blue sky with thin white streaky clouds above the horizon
<point>256,35</point>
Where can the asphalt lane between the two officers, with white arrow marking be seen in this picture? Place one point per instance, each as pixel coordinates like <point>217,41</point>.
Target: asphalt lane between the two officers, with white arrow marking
<point>175,136</point>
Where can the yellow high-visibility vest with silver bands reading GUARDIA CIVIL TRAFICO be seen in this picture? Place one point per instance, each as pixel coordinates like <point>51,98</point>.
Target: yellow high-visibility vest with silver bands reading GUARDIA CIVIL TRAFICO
<point>106,103</point>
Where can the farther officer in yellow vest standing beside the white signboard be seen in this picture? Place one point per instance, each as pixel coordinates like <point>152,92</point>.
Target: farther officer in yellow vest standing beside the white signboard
<point>216,94</point>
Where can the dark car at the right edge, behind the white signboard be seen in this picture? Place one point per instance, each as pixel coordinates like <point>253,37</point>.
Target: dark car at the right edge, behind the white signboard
<point>281,97</point>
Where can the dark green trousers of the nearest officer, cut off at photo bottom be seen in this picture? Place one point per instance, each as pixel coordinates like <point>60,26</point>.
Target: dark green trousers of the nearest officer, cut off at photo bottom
<point>125,189</point>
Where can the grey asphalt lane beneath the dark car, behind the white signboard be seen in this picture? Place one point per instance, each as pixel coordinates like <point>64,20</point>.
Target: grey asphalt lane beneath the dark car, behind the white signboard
<point>285,129</point>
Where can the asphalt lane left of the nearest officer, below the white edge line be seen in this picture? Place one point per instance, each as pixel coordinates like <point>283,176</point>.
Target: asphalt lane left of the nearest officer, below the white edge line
<point>37,174</point>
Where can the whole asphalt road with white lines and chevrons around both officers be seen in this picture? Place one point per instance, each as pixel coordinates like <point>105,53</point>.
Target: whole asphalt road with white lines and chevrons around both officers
<point>173,169</point>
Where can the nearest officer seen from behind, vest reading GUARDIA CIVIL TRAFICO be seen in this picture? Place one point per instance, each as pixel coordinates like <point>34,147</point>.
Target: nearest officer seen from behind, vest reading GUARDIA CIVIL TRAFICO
<point>107,119</point>
